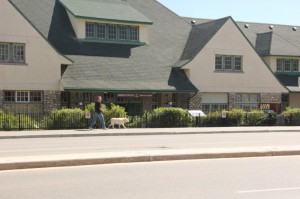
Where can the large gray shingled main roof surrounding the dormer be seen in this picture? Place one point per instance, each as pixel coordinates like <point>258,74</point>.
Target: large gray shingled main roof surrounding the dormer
<point>115,67</point>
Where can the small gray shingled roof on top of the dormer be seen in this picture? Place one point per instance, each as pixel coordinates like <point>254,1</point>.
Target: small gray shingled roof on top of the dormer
<point>112,10</point>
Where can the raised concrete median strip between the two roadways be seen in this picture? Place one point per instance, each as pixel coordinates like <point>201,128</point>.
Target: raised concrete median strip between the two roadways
<point>142,156</point>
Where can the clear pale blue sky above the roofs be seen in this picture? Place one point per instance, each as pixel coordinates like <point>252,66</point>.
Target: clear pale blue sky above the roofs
<point>283,12</point>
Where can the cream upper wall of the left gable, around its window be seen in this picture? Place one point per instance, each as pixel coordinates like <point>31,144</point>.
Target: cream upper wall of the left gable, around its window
<point>42,68</point>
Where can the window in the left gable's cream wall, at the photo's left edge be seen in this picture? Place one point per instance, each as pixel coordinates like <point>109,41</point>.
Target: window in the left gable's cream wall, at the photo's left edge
<point>12,53</point>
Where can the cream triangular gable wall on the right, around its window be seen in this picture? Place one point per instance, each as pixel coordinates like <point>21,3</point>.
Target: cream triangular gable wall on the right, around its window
<point>255,77</point>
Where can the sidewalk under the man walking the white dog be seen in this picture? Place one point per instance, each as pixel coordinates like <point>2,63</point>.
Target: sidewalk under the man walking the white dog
<point>143,131</point>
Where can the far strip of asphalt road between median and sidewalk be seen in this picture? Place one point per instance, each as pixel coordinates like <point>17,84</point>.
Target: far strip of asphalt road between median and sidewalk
<point>95,144</point>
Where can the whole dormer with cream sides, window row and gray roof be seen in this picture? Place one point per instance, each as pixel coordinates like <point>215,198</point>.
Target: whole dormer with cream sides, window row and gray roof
<point>114,22</point>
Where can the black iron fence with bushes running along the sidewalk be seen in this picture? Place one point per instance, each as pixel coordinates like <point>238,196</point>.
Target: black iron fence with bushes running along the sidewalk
<point>9,122</point>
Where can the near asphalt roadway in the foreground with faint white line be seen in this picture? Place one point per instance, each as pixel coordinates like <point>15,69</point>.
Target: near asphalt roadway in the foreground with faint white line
<point>242,178</point>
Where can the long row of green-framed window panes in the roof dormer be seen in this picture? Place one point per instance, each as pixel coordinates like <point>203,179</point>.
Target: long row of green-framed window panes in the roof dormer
<point>112,32</point>
